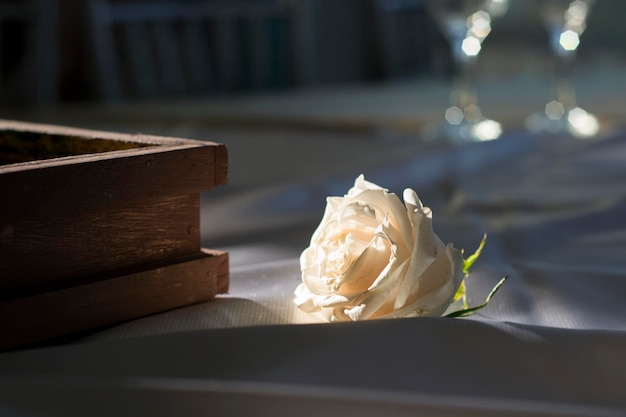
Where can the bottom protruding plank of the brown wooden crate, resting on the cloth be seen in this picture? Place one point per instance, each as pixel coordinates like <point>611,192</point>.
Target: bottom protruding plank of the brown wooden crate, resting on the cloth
<point>50,315</point>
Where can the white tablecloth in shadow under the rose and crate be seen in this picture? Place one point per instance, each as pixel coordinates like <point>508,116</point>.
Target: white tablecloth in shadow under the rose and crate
<point>552,341</point>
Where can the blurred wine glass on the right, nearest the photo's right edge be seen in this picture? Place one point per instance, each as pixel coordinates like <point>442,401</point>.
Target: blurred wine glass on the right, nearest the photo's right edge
<point>565,20</point>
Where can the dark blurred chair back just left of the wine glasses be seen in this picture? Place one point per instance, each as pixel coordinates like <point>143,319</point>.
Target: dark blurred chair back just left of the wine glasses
<point>406,38</point>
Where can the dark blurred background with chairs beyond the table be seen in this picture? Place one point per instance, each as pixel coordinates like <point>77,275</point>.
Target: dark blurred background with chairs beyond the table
<point>69,51</point>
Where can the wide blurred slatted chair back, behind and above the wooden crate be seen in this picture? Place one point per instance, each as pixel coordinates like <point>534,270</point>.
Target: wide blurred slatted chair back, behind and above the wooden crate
<point>149,49</point>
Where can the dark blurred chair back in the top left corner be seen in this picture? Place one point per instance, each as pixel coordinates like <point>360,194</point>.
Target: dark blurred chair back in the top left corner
<point>29,66</point>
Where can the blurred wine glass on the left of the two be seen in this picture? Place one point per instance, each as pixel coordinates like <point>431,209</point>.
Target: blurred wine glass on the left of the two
<point>466,24</point>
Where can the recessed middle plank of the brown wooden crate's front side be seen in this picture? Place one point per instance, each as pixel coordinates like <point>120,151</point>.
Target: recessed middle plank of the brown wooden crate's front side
<point>64,249</point>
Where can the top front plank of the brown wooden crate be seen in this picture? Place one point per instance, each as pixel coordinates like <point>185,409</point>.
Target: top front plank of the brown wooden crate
<point>100,180</point>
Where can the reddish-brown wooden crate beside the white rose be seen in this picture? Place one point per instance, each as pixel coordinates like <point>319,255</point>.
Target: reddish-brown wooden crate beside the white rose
<point>97,228</point>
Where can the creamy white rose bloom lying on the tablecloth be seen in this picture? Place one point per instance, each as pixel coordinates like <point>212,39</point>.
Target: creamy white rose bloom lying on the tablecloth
<point>373,257</point>
